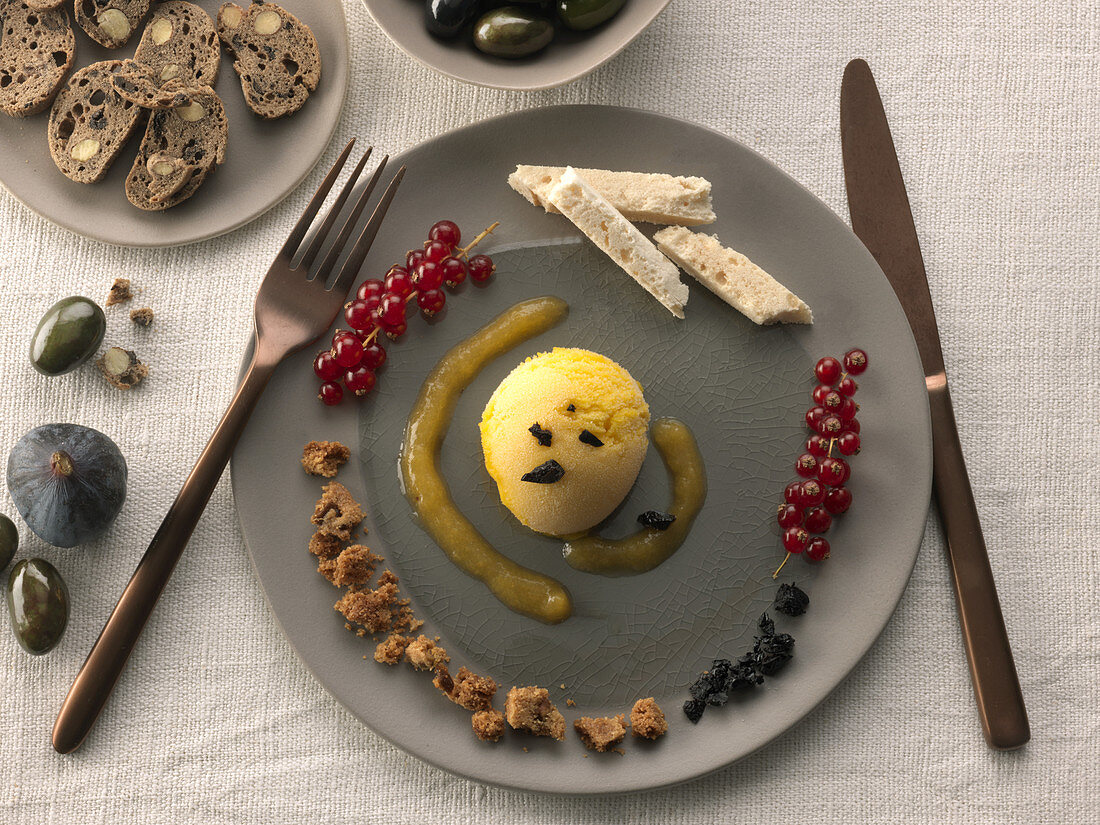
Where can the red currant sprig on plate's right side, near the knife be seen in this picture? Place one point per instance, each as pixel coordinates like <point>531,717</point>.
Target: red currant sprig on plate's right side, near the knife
<point>813,501</point>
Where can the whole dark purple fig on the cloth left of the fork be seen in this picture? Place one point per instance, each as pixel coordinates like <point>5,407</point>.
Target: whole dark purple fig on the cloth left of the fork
<point>69,482</point>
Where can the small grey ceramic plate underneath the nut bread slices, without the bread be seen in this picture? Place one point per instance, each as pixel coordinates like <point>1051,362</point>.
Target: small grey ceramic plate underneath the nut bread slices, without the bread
<point>267,160</point>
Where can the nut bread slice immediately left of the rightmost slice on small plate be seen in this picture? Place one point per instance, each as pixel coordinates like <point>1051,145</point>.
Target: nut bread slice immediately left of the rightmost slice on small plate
<point>181,43</point>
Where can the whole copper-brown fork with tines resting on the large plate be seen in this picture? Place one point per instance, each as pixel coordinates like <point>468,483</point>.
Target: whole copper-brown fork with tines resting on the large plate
<point>294,309</point>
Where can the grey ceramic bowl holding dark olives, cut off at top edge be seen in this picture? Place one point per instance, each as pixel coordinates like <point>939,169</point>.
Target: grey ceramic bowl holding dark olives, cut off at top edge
<point>571,56</point>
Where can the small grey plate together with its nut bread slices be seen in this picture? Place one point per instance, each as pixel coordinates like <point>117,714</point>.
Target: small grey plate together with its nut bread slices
<point>144,124</point>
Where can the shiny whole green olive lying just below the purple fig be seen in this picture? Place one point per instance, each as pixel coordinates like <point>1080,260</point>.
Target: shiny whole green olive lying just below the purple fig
<point>38,601</point>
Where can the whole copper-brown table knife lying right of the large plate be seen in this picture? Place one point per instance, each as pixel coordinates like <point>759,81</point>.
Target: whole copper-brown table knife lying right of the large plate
<point>883,221</point>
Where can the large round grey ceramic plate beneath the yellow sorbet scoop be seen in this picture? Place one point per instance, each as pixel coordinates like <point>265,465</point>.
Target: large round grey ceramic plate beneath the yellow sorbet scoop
<point>742,389</point>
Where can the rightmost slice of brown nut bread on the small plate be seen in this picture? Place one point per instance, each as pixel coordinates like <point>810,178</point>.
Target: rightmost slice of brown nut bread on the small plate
<point>276,56</point>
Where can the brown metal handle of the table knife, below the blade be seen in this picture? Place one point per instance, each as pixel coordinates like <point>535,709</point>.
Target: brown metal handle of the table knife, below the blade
<point>993,670</point>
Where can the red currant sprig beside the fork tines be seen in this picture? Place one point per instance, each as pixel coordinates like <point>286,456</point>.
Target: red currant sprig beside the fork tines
<point>382,306</point>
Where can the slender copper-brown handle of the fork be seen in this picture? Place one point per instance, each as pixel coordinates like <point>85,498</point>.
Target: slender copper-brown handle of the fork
<point>109,655</point>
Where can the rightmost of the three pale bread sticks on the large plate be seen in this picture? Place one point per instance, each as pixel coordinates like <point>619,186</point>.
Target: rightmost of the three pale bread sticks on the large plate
<point>733,278</point>
